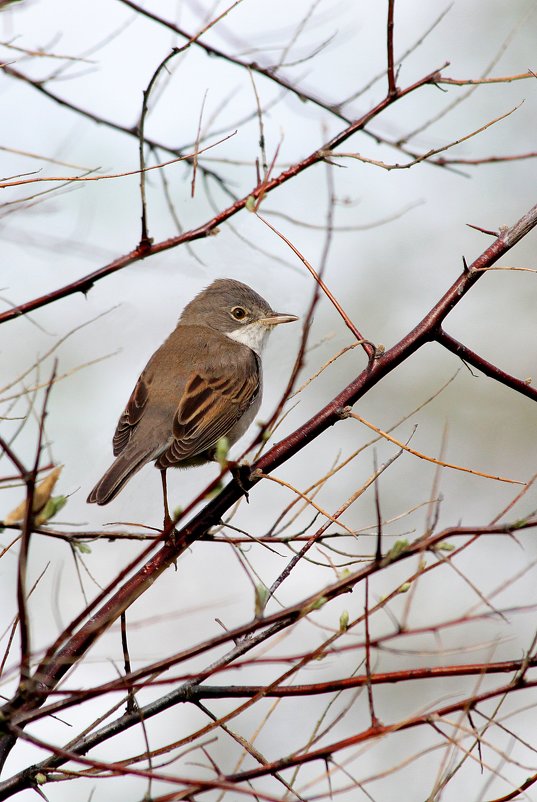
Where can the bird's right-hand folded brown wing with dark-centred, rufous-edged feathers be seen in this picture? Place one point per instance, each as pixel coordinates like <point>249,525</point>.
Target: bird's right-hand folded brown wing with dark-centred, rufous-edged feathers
<point>211,404</point>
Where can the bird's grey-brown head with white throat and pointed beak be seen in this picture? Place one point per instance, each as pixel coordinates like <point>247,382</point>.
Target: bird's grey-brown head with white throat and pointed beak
<point>234,309</point>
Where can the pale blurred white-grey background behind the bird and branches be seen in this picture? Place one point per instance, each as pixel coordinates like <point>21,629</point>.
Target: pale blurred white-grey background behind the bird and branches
<point>398,240</point>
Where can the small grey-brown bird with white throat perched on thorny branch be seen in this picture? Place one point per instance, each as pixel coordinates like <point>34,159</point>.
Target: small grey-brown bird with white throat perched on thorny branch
<point>202,384</point>
